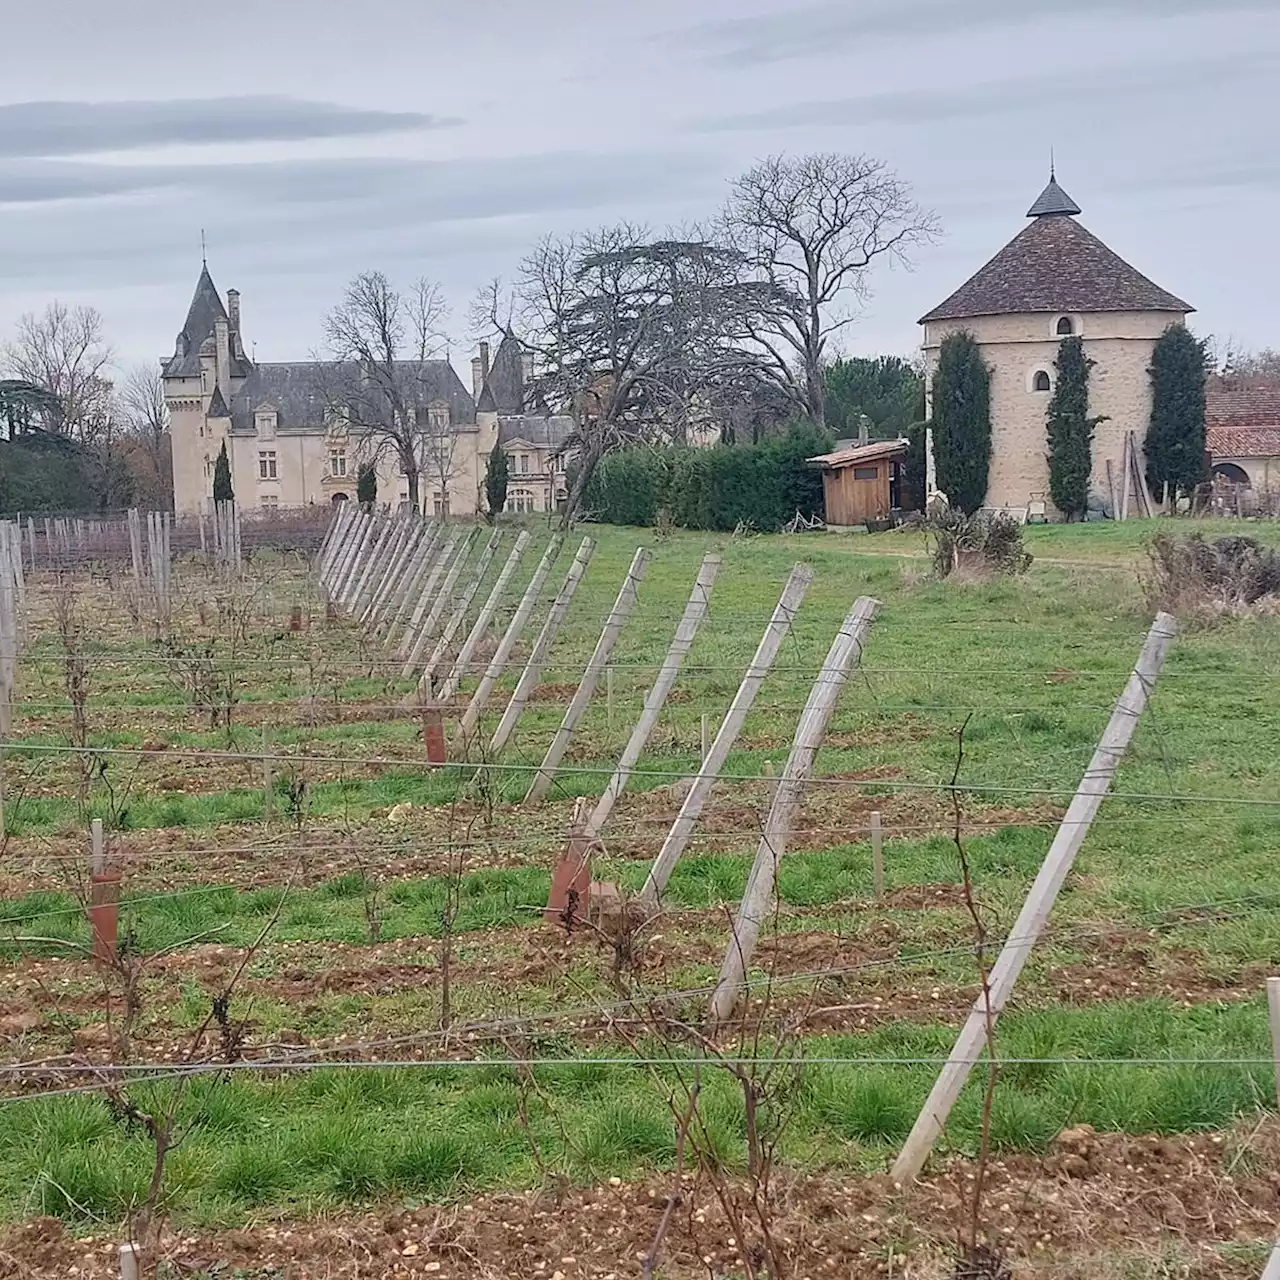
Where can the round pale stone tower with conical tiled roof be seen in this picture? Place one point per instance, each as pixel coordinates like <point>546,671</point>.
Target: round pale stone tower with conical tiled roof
<point>1052,281</point>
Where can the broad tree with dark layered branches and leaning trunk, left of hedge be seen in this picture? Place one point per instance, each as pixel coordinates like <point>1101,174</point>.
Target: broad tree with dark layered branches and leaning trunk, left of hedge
<point>627,336</point>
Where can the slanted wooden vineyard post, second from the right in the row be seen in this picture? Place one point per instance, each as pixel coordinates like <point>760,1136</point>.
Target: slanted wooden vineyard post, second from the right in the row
<point>844,655</point>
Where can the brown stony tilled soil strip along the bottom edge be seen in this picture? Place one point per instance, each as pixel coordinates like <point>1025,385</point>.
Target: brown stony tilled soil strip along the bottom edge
<point>1100,1206</point>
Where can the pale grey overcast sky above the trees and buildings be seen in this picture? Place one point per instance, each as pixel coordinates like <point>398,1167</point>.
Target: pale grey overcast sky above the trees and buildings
<point>313,140</point>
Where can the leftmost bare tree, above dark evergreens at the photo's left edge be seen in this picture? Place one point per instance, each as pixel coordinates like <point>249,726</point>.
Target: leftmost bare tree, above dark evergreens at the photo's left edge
<point>66,353</point>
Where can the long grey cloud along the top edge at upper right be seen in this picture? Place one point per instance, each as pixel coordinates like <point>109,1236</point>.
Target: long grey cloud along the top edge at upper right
<point>826,29</point>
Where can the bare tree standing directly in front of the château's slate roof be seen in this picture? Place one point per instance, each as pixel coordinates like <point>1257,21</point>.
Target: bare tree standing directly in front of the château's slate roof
<point>381,341</point>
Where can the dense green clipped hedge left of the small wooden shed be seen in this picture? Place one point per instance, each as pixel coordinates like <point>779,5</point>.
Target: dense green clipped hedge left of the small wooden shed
<point>757,486</point>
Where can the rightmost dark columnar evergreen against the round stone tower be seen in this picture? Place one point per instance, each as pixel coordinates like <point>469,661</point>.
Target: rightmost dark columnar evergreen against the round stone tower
<point>1176,440</point>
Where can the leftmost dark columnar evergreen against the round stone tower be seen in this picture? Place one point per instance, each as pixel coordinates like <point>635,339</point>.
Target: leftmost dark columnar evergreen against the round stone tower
<point>962,422</point>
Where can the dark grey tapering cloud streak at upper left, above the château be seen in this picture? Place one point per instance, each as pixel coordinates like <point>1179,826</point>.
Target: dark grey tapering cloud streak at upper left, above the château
<point>79,129</point>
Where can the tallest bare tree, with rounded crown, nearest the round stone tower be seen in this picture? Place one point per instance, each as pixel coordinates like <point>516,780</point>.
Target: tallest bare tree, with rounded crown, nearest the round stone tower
<point>812,227</point>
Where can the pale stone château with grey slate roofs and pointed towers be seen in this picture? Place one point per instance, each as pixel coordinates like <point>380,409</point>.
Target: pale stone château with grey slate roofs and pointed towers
<point>287,450</point>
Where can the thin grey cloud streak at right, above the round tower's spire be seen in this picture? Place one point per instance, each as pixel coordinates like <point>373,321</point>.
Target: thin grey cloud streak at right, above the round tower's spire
<point>1087,90</point>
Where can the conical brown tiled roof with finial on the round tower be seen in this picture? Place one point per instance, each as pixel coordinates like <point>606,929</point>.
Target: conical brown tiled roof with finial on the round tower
<point>1055,266</point>
